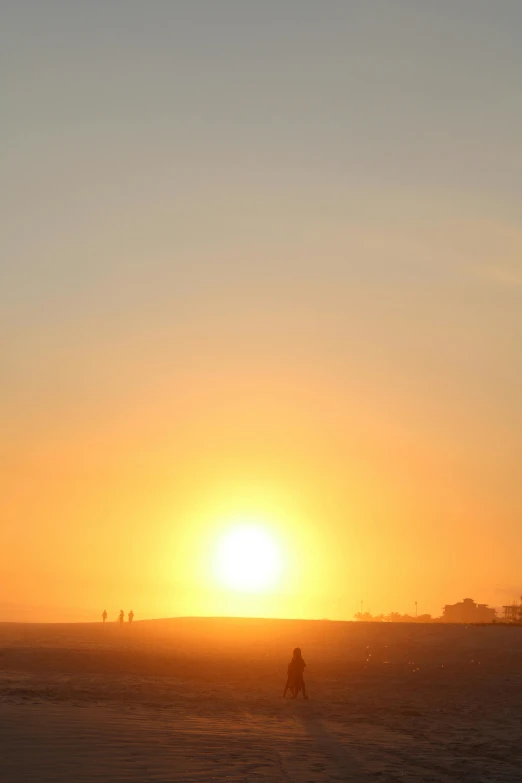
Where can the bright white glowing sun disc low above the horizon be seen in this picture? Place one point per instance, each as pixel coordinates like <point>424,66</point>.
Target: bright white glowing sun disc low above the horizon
<point>248,559</point>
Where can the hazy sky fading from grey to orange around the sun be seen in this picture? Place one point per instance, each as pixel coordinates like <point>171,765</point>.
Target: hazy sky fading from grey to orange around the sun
<point>260,261</point>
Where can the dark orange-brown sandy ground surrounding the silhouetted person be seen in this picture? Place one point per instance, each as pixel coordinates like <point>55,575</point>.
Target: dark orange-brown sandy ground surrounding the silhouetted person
<point>200,700</point>
